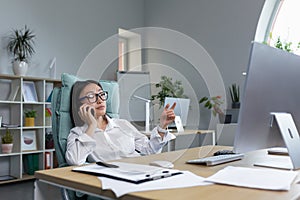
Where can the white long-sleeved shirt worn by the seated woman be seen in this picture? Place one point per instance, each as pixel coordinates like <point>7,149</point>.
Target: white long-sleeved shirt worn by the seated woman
<point>119,140</point>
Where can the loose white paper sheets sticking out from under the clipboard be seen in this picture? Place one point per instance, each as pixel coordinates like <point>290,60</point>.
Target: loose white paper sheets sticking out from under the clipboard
<point>187,179</point>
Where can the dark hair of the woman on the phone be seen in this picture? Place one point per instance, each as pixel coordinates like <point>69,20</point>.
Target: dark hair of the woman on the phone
<point>75,103</point>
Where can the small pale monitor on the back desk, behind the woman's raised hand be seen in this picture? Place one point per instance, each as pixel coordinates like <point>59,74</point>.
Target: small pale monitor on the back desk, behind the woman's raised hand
<point>181,109</point>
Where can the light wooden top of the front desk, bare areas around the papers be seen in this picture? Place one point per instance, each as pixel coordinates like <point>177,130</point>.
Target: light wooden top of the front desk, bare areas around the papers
<point>91,184</point>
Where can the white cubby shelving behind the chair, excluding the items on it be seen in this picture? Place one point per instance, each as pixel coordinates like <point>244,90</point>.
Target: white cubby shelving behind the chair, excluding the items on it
<point>12,111</point>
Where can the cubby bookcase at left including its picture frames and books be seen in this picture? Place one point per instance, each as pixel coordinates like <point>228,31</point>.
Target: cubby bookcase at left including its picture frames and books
<point>19,94</point>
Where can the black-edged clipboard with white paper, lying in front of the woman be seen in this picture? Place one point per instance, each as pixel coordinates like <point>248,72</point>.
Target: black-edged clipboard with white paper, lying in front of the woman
<point>129,172</point>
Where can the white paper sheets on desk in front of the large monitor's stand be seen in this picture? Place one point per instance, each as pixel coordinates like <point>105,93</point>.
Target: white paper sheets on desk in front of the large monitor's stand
<point>268,179</point>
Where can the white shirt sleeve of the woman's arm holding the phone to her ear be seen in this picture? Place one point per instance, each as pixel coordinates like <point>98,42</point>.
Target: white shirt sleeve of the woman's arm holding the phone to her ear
<point>79,146</point>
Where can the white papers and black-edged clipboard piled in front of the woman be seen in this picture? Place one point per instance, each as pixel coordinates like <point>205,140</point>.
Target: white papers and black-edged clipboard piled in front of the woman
<point>130,177</point>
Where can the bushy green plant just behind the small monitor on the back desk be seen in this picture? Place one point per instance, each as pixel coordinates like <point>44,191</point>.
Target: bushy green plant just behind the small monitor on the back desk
<point>168,89</point>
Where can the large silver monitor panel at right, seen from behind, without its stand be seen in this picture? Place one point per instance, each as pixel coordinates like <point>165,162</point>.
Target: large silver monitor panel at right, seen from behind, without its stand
<point>272,85</point>
